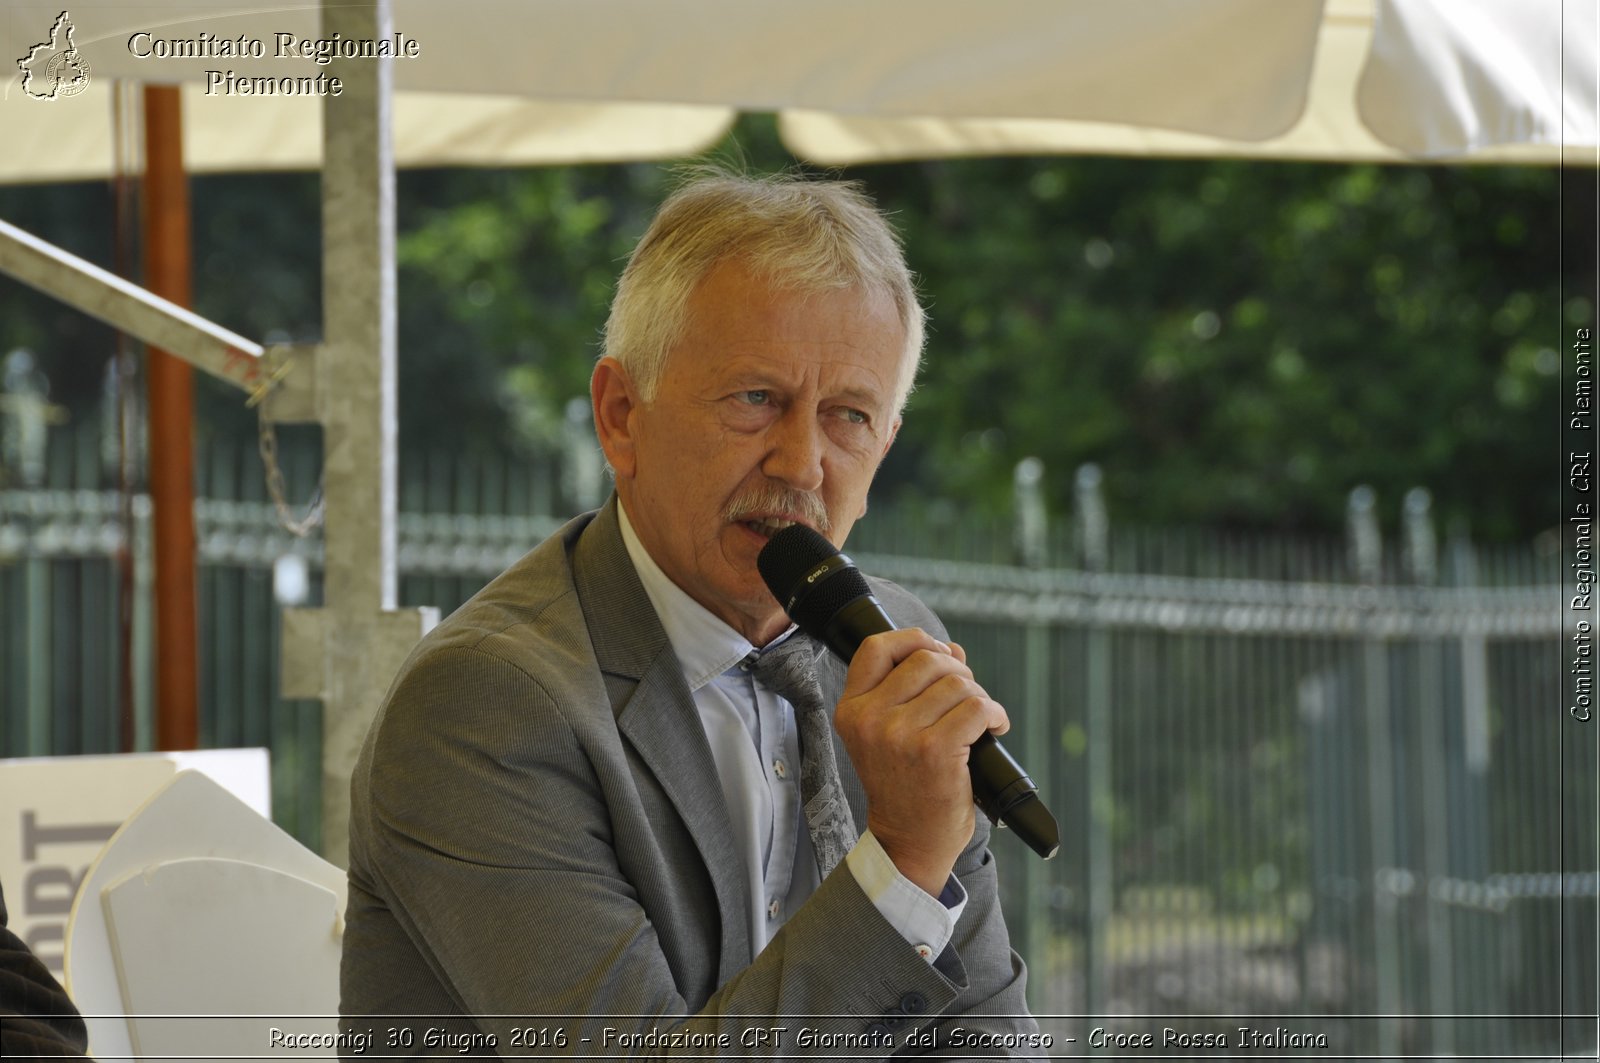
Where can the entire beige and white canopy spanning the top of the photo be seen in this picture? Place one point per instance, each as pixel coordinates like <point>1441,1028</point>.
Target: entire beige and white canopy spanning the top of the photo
<point>502,82</point>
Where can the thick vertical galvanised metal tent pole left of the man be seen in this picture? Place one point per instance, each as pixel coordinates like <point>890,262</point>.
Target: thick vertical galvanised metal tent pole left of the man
<point>348,652</point>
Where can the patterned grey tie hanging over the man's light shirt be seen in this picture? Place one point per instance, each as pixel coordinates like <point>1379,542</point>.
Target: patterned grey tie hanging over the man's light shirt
<point>790,672</point>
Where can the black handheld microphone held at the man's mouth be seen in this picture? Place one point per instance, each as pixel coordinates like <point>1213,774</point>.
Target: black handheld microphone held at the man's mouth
<point>826,595</point>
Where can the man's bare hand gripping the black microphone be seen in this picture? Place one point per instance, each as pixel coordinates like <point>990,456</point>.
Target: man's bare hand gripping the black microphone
<point>910,716</point>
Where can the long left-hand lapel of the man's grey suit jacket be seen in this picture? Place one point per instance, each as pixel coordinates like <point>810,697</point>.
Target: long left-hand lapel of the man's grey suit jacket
<point>657,713</point>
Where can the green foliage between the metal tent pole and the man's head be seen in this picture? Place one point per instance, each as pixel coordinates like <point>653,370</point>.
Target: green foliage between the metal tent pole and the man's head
<point>505,284</point>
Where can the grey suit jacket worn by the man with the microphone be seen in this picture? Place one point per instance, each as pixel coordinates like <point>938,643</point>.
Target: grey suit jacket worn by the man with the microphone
<point>540,843</point>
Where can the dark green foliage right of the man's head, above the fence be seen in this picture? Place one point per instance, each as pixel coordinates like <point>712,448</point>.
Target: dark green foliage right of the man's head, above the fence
<point>1241,343</point>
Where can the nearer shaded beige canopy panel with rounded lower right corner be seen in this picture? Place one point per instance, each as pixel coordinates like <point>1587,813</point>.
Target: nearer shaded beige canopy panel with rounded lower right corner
<point>1231,68</point>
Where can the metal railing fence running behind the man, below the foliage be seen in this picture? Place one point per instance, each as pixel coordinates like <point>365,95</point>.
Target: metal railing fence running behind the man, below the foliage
<point>1311,779</point>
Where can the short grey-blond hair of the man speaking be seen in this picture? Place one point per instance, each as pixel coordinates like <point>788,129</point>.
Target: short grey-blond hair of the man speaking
<point>799,235</point>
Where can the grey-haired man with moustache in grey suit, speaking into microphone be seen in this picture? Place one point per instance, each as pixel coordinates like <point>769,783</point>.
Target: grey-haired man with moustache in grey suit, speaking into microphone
<point>580,819</point>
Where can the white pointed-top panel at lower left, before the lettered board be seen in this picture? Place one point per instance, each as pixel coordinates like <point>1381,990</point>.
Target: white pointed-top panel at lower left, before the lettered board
<point>201,928</point>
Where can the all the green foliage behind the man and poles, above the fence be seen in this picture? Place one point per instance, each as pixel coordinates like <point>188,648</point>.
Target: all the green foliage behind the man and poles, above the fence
<point>1236,343</point>
